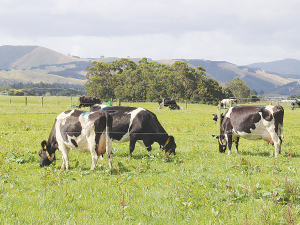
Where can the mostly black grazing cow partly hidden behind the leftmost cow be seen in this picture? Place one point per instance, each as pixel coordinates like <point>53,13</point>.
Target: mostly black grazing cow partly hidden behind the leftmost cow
<point>137,125</point>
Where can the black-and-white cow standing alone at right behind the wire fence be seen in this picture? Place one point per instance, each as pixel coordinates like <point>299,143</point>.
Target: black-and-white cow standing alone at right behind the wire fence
<point>251,122</point>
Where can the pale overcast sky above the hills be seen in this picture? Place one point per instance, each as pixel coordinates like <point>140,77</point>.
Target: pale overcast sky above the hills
<point>237,31</point>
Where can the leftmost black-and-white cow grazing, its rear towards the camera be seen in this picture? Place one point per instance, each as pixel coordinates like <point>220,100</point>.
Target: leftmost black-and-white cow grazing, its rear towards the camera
<point>82,131</point>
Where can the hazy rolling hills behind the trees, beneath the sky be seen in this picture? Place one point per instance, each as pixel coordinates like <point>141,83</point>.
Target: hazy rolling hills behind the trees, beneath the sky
<point>36,64</point>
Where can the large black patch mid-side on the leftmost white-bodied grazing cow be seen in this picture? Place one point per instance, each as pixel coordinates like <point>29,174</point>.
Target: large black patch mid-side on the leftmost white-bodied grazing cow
<point>72,127</point>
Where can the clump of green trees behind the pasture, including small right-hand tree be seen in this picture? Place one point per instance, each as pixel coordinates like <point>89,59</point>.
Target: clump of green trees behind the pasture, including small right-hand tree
<point>125,80</point>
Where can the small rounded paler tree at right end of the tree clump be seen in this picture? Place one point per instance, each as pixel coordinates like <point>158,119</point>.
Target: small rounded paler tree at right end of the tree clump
<point>239,88</point>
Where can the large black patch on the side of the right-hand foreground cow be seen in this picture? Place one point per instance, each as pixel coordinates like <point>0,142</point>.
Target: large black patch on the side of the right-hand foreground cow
<point>243,119</point>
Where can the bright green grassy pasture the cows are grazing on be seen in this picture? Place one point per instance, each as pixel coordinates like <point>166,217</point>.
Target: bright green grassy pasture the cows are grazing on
<point>198,185</point>
